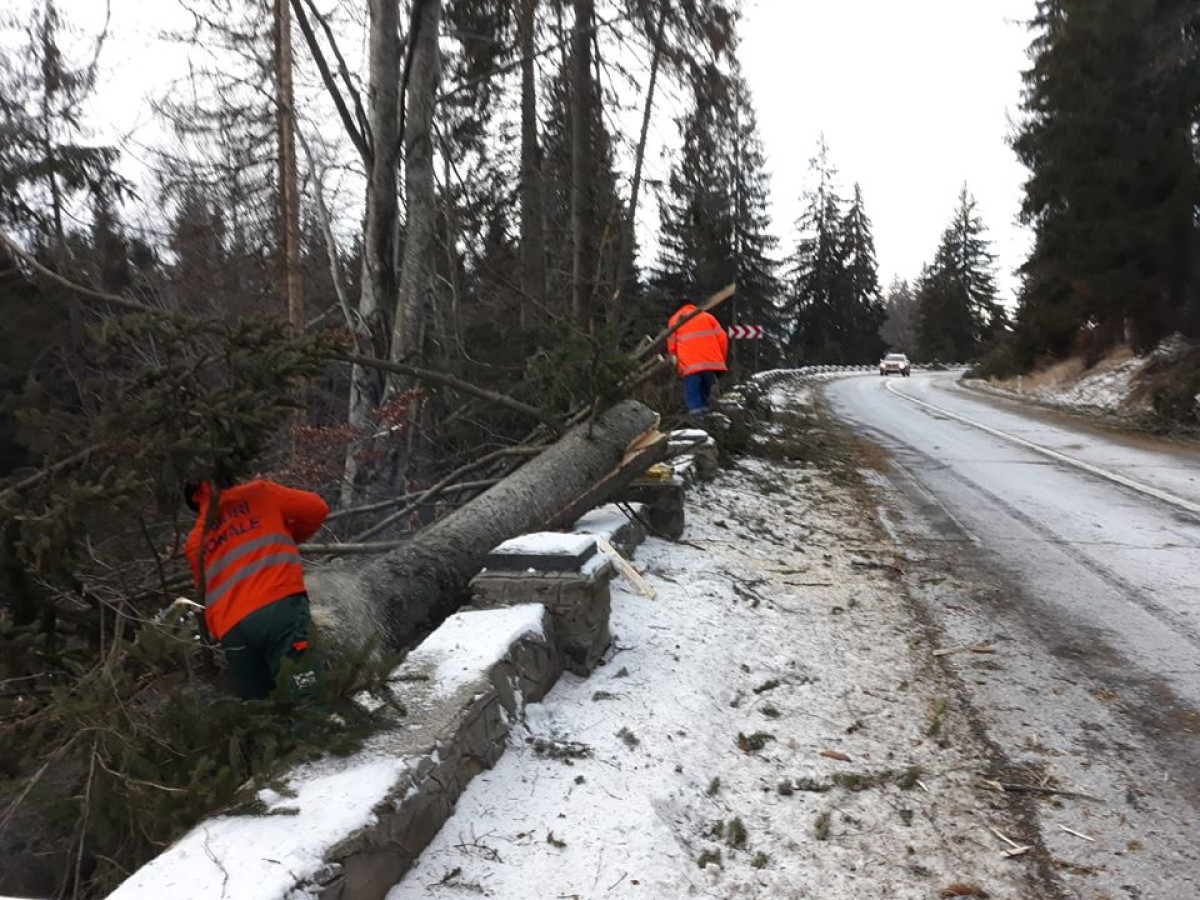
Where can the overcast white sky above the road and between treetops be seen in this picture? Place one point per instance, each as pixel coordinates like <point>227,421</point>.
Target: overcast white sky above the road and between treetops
<point>914,98</point>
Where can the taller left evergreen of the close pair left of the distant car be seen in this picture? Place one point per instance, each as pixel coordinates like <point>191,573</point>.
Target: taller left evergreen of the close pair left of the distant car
<point>819,331</point>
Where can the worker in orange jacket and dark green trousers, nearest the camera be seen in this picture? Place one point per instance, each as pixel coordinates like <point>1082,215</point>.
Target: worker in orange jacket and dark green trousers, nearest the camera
<point>244,559</point>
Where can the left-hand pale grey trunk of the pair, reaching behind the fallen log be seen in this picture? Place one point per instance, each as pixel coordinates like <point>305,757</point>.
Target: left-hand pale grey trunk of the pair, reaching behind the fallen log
<point>379,290</point>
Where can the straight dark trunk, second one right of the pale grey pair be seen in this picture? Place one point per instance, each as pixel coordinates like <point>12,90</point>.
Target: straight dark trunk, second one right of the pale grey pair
<point>581,157</point>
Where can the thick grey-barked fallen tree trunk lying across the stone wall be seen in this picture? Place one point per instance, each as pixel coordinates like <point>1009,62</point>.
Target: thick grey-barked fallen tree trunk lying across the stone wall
<point>399,595</point>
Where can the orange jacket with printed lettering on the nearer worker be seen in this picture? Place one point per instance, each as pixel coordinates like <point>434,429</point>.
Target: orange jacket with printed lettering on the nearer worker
<point>250,554</point>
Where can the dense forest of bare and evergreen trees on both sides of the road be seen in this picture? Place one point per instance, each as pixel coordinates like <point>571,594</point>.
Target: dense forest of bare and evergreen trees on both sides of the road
<point>239,313</point>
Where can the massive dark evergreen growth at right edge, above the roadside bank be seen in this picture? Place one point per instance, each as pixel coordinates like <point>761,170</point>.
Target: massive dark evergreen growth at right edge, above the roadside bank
<point>1111,106</point>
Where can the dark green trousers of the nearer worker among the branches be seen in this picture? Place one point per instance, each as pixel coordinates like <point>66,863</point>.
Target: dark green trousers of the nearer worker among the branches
<point>259,645</point>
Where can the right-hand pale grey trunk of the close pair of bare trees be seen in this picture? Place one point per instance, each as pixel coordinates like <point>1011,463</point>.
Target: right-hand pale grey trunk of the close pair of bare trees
<point>419,271</point>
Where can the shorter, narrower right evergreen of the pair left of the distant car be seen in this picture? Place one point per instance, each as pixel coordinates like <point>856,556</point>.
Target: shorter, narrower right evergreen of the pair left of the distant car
<point>860,290</point>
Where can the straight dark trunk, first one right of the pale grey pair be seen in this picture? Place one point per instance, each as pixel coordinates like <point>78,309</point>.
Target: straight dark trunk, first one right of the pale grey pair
<point>533,236</point>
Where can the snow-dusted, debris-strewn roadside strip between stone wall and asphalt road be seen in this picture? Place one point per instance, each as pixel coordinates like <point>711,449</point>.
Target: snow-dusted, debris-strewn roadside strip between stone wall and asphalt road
<point>773,725</point>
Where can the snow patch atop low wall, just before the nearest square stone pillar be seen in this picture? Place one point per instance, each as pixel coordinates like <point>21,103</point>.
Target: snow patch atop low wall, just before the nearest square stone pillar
<point>470,644</point>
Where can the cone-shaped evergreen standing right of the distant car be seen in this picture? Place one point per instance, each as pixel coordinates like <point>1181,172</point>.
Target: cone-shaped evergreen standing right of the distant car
<point>957,292</point>
